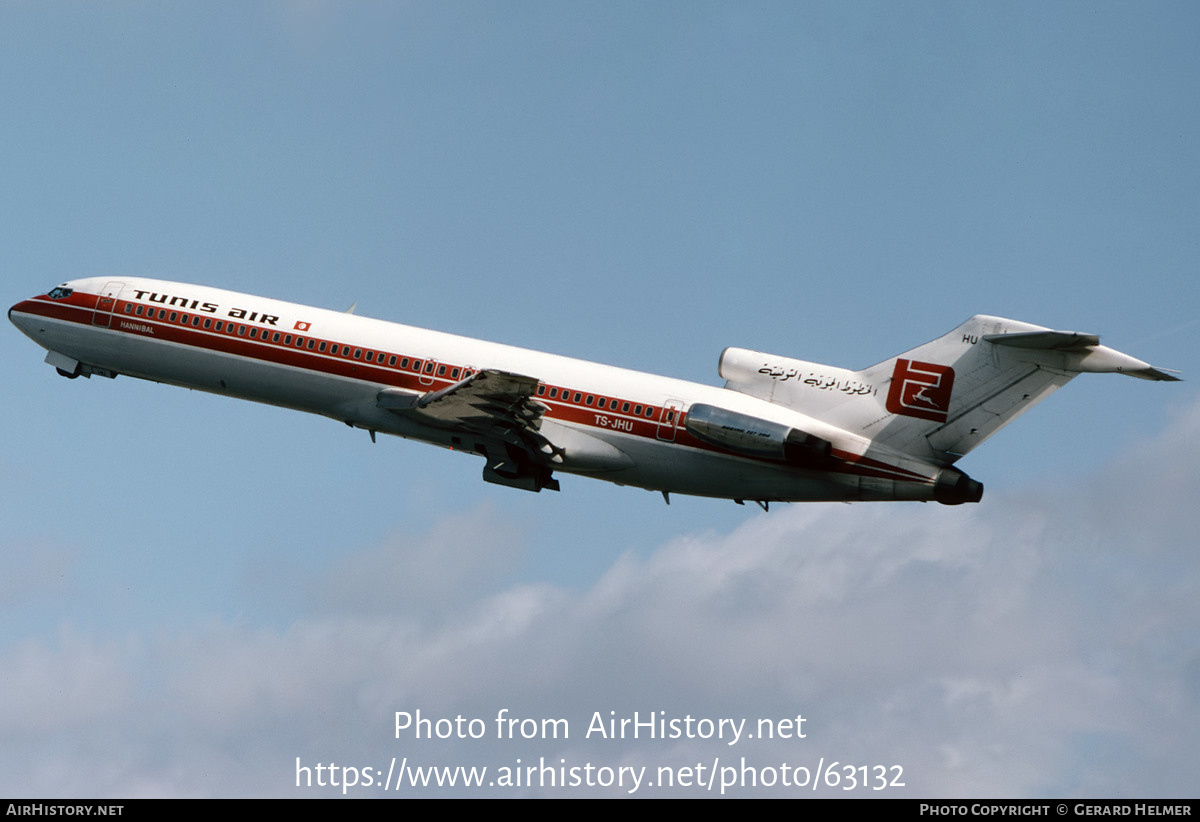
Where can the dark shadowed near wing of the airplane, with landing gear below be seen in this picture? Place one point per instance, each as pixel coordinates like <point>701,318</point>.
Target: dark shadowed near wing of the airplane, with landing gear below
<point>497,407</point>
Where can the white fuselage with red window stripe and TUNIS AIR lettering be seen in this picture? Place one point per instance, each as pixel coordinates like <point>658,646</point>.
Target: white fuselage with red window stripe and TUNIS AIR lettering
<point>338,364</point>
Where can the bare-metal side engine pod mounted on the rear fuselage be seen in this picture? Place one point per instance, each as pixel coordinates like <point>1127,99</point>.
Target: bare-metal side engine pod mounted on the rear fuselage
<point>755,437</point>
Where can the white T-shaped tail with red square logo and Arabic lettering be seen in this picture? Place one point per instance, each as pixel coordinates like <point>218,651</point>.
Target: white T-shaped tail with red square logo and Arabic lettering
<point>941,400</point>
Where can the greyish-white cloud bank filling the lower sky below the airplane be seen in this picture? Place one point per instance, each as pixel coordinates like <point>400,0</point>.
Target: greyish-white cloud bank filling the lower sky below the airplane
<point>1041,644</point>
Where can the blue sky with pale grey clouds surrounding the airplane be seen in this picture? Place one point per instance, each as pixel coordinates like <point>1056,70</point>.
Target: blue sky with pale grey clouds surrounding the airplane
<point>200,591</point>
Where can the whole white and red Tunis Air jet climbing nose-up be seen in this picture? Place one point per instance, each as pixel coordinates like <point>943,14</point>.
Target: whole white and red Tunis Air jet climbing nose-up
<point>779,430</point>
